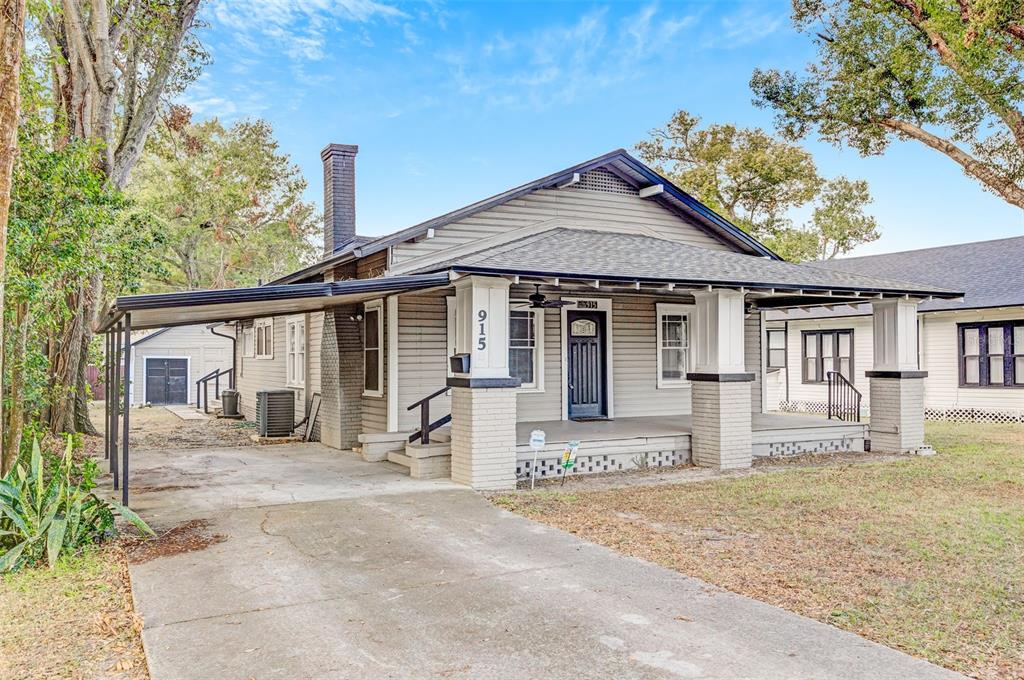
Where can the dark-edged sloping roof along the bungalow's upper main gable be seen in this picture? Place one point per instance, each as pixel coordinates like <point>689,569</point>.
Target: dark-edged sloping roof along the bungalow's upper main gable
<point>619,162</point>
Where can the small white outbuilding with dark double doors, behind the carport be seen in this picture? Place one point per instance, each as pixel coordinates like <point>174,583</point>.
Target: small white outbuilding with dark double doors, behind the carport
<point>167,362</point>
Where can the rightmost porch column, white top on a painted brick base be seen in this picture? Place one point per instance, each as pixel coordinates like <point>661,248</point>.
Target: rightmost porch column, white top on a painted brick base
<point>898,386</point>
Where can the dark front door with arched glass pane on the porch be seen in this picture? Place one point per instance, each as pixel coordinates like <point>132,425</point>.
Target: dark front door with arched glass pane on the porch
<point>586,358</point>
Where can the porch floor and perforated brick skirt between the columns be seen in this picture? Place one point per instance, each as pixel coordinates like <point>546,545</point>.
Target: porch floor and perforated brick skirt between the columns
<point>647,442</point>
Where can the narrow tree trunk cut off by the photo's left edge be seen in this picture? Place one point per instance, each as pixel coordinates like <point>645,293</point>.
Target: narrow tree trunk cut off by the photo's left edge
<point>12,38</point>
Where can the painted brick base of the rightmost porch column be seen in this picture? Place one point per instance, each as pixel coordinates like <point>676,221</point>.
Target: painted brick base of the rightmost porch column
<point>898,423</point>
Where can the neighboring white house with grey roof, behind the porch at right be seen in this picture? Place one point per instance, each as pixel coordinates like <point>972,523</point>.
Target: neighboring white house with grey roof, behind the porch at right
<point>973,350</point>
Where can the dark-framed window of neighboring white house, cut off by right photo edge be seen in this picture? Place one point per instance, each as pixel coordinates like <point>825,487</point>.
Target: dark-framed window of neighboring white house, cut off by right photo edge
<point>992,355</point>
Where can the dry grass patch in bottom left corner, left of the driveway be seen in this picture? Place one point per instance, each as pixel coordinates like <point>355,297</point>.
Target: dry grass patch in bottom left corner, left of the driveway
<point>73,622</point>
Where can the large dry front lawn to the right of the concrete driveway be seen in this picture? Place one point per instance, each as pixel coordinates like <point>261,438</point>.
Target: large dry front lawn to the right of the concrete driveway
<point>925,555</point>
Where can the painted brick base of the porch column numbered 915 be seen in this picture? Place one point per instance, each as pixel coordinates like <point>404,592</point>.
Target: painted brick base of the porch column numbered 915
<point>484,437</point>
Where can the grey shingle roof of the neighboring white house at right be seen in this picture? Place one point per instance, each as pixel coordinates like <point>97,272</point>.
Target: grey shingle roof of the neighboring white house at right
<point>990,273</point>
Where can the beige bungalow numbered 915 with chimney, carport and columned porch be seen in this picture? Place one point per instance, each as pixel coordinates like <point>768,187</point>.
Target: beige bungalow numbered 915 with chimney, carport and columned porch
<point>599,305</point>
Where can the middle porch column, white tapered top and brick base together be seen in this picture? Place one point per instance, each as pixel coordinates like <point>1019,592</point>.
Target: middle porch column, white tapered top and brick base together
<point>721,387</point>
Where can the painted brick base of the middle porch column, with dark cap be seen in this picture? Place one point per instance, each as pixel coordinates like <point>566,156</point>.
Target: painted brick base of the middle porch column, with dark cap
<point>721,415</point>
